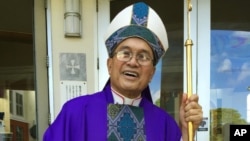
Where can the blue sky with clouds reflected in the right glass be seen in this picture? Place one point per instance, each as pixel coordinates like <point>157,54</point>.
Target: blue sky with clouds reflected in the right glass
<point>230,69</point>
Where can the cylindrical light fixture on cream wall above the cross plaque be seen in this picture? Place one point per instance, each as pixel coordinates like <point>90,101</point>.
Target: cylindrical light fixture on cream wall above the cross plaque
<point>72,18</point>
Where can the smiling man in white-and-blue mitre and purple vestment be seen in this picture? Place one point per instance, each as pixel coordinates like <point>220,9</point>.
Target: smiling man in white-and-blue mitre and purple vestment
<point>123,110</point>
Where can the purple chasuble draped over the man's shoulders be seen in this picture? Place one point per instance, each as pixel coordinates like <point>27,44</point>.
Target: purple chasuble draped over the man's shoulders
<point>85,119</point>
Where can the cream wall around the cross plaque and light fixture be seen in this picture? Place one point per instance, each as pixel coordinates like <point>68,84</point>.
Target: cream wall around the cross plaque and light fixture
<point>86,44</point>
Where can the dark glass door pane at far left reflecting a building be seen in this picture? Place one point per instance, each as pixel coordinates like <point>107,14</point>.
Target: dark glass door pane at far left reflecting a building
<point>17,73</point>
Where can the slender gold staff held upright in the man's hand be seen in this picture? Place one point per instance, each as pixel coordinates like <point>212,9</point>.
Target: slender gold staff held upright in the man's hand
<point>189,44</point>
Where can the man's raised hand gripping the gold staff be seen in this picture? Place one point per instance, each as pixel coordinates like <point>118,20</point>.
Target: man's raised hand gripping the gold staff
<point>190,111</point>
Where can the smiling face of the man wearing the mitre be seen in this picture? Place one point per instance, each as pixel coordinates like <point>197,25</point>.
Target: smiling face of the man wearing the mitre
<point>130,77</point>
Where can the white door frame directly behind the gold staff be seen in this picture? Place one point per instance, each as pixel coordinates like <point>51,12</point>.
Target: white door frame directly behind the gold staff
<point>200,35</point>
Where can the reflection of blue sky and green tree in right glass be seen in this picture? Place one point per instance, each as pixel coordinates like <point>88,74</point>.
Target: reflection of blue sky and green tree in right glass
<point>230,74</point>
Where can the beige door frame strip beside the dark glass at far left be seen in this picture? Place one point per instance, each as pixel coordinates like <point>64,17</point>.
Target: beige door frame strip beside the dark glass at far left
<point>41,75</point>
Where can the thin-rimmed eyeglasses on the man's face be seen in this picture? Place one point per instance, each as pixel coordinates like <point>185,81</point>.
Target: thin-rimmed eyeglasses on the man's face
<point>142,58</point>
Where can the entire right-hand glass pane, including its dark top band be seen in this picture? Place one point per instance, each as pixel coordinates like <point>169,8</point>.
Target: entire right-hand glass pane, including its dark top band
<point>230,66</point>
